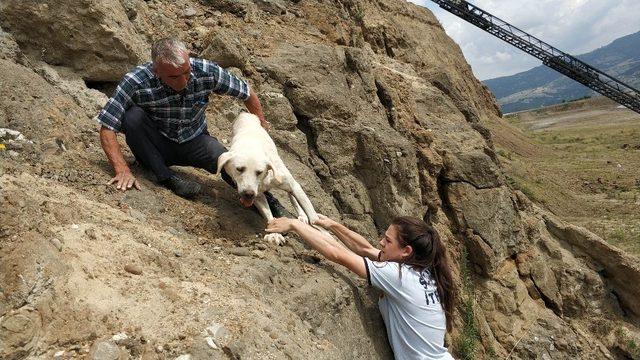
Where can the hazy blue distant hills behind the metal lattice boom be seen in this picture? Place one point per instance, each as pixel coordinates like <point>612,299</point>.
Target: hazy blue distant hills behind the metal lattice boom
<point>542,86</point>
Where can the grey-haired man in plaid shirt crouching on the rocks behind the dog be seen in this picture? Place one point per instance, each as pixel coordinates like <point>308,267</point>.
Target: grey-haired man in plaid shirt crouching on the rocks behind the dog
<point>160,107</point>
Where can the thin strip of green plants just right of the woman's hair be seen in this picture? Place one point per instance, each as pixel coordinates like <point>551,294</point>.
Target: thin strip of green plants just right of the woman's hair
<point>469,338</point>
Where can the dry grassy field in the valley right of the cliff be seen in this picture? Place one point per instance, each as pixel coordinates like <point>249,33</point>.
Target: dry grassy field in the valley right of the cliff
<point>584,168</point>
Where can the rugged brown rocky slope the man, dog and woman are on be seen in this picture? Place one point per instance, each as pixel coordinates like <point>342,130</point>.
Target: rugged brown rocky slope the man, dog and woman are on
<point>375,112</point>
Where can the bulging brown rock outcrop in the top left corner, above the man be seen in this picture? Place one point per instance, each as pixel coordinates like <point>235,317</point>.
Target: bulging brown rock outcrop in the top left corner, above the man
<point>94,38</point>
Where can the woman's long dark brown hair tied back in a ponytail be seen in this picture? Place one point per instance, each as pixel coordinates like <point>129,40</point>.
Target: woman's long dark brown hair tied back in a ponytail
<point>428,253</point>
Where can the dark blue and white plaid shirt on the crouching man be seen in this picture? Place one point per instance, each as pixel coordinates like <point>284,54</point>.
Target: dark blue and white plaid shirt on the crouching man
<point>178,116</point>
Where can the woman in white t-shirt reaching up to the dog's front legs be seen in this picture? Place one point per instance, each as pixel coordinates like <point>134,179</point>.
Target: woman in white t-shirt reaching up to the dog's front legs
<point>410,268</point>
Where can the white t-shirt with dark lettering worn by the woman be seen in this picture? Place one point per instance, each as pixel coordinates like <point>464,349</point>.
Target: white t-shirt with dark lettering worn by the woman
<point>411,310</point>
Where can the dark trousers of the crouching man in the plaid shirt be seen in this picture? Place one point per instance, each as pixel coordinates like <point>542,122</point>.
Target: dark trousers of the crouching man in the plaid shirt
<point>156,152</point>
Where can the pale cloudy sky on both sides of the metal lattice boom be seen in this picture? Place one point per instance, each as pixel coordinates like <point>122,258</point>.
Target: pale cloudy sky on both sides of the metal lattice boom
<point>573,26</point>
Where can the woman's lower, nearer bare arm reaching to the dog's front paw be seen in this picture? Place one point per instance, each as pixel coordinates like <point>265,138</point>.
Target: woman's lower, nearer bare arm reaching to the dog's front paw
<point>324,244</point>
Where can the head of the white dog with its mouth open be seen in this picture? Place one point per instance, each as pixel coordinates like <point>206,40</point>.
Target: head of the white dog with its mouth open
<point>249,172</point>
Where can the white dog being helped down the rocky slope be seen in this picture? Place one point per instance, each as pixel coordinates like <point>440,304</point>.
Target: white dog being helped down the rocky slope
<point>253,162</point>
